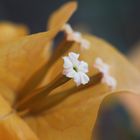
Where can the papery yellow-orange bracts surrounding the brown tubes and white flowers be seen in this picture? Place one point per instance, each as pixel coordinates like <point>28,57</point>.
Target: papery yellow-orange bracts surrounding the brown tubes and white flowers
<point>74,117</point>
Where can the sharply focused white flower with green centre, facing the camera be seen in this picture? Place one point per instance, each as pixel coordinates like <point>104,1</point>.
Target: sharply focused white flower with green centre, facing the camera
<point>73,68</point>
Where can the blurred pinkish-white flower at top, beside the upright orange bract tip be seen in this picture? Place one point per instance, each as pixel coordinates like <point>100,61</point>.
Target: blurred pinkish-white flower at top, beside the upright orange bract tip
<point>75,36</point>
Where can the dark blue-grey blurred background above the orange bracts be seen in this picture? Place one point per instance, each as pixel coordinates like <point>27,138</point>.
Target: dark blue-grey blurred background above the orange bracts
<point>118,21</point>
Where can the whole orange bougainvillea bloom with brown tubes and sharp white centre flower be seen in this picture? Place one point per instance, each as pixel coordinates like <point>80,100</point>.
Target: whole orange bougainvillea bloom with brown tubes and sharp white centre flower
<point>38,98</point>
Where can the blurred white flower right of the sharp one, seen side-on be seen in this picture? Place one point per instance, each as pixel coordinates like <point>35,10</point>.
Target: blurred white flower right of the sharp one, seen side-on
<point>104,68</point>
